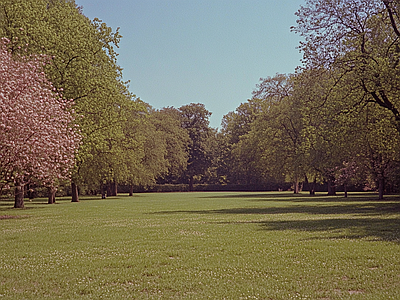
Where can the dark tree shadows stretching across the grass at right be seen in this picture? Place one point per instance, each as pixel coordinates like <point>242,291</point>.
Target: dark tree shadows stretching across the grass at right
<point>376,220</point>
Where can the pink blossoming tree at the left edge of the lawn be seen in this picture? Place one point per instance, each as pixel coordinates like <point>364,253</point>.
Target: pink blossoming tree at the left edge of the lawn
<point>38,138</point>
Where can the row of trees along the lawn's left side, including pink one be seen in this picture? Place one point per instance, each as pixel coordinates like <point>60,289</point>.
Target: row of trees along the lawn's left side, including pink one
<point>66,113</point>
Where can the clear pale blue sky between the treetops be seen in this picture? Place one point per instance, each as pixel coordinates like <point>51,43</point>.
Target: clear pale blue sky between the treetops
<point>177,52</point>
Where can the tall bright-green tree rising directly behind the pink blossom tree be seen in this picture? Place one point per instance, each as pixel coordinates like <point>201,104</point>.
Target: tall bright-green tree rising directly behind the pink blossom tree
<point>84,65</point>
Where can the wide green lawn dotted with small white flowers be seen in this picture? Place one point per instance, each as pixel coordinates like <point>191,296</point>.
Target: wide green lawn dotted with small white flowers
<point>202,246</point>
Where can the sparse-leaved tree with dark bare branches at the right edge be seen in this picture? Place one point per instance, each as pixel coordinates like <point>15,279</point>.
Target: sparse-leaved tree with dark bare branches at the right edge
<point>358,42</point>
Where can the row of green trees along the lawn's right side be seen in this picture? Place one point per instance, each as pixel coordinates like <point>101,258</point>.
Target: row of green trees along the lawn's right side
<point>337,119</point>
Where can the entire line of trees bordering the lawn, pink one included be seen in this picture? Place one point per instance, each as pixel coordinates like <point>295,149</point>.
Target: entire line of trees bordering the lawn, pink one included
<point>336,120</point>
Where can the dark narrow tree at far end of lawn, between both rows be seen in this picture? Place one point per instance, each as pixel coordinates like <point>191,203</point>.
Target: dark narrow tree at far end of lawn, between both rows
<point>194,118</point>
